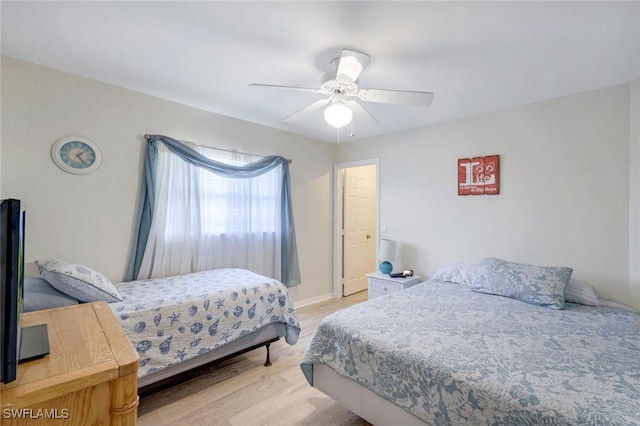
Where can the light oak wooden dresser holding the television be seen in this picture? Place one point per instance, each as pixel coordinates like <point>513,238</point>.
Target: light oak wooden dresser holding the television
<point>89,378</point>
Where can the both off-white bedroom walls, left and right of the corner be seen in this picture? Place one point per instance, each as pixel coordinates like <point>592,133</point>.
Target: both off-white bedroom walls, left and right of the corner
<point>566,195</point>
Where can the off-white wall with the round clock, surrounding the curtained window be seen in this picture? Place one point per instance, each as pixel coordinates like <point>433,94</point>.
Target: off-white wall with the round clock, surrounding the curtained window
<point>90,219</point>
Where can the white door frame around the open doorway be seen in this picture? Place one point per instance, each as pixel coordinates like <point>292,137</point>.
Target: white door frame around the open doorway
<point>337,217</point>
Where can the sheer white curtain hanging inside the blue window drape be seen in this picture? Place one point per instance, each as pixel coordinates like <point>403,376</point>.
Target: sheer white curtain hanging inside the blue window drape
<point>203,221</point>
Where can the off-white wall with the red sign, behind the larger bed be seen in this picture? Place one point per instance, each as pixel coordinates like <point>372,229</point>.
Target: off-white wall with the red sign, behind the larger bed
<point>564,192</point>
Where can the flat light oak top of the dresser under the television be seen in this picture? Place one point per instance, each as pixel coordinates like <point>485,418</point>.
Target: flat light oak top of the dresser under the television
<point>88,347</point>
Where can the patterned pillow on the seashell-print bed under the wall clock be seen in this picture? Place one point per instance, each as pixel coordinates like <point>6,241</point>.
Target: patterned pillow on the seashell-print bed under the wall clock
<point>78,281</point>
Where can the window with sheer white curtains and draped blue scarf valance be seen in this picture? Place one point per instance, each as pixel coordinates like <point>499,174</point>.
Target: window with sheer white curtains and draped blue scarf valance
<point>199,213</point>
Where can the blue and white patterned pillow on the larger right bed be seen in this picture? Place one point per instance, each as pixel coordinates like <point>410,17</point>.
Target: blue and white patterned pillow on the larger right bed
<point>538,285</point>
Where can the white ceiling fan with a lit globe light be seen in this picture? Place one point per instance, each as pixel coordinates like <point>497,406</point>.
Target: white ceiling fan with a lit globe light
<point>341,87</point>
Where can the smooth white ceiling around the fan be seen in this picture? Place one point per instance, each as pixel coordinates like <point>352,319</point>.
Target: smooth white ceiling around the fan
<point>475,56</point>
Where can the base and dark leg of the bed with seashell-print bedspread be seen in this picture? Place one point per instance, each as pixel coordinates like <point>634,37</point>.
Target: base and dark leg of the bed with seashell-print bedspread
<point>262,337</point>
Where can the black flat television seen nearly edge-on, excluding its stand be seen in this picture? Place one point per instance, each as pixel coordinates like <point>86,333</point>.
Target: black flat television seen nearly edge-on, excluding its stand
<point>12,221</point>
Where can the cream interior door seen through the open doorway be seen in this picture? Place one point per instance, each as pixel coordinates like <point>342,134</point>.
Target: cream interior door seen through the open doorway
<point>359,223</point>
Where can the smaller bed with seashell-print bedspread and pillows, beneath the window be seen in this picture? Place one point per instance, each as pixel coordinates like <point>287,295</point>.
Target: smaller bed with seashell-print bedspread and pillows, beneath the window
<point>176,323</point>
